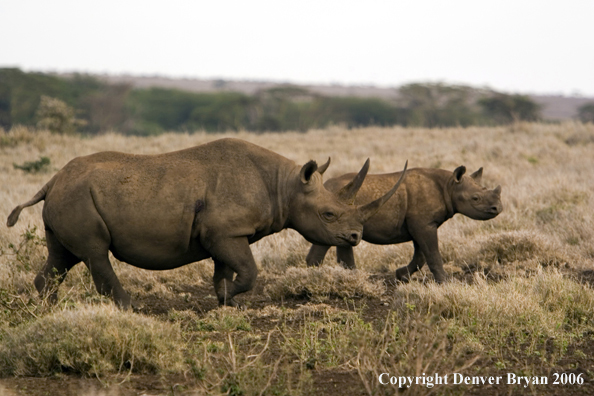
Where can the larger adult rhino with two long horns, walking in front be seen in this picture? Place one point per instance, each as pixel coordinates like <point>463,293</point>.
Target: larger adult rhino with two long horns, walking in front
<point>163,211</point>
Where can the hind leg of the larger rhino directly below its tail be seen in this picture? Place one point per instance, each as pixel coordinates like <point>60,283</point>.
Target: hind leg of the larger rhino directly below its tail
<point>60,260</point>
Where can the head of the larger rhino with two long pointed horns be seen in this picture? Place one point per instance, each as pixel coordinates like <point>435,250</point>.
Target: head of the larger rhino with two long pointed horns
<point>325,218</point>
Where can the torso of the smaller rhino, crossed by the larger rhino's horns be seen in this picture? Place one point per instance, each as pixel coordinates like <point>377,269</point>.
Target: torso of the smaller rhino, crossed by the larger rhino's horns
<point>419,200</point>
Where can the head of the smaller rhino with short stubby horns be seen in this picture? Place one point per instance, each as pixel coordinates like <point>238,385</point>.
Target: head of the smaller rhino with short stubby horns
<point>473,200</point>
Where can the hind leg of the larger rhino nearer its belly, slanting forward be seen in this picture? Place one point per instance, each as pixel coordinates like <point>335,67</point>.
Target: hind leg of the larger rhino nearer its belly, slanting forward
<point>106,281</point>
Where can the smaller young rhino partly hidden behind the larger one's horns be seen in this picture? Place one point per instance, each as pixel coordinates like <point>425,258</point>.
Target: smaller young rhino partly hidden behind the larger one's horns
<point>428,198</point>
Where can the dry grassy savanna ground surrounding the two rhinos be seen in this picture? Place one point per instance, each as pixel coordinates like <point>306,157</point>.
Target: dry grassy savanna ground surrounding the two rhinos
<point>520,300</point>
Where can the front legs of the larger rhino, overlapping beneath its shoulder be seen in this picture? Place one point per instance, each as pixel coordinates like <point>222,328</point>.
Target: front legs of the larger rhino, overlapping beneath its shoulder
<point>233,255</point>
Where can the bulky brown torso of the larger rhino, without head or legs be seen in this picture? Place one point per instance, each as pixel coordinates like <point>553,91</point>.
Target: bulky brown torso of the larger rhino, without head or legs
<point>157,208</point>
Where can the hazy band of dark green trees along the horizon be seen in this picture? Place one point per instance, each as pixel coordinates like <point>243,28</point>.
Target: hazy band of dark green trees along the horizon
<point>84,103</point>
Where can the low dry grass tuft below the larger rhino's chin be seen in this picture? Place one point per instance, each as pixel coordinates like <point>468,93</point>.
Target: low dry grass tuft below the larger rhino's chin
<point>323,282</point>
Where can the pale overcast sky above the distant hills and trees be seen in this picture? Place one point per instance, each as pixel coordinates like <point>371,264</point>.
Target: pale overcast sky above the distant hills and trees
<point>527,46</point>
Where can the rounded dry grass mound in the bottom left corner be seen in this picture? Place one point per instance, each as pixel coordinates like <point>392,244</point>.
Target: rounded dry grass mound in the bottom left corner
<point>91,341</point>
